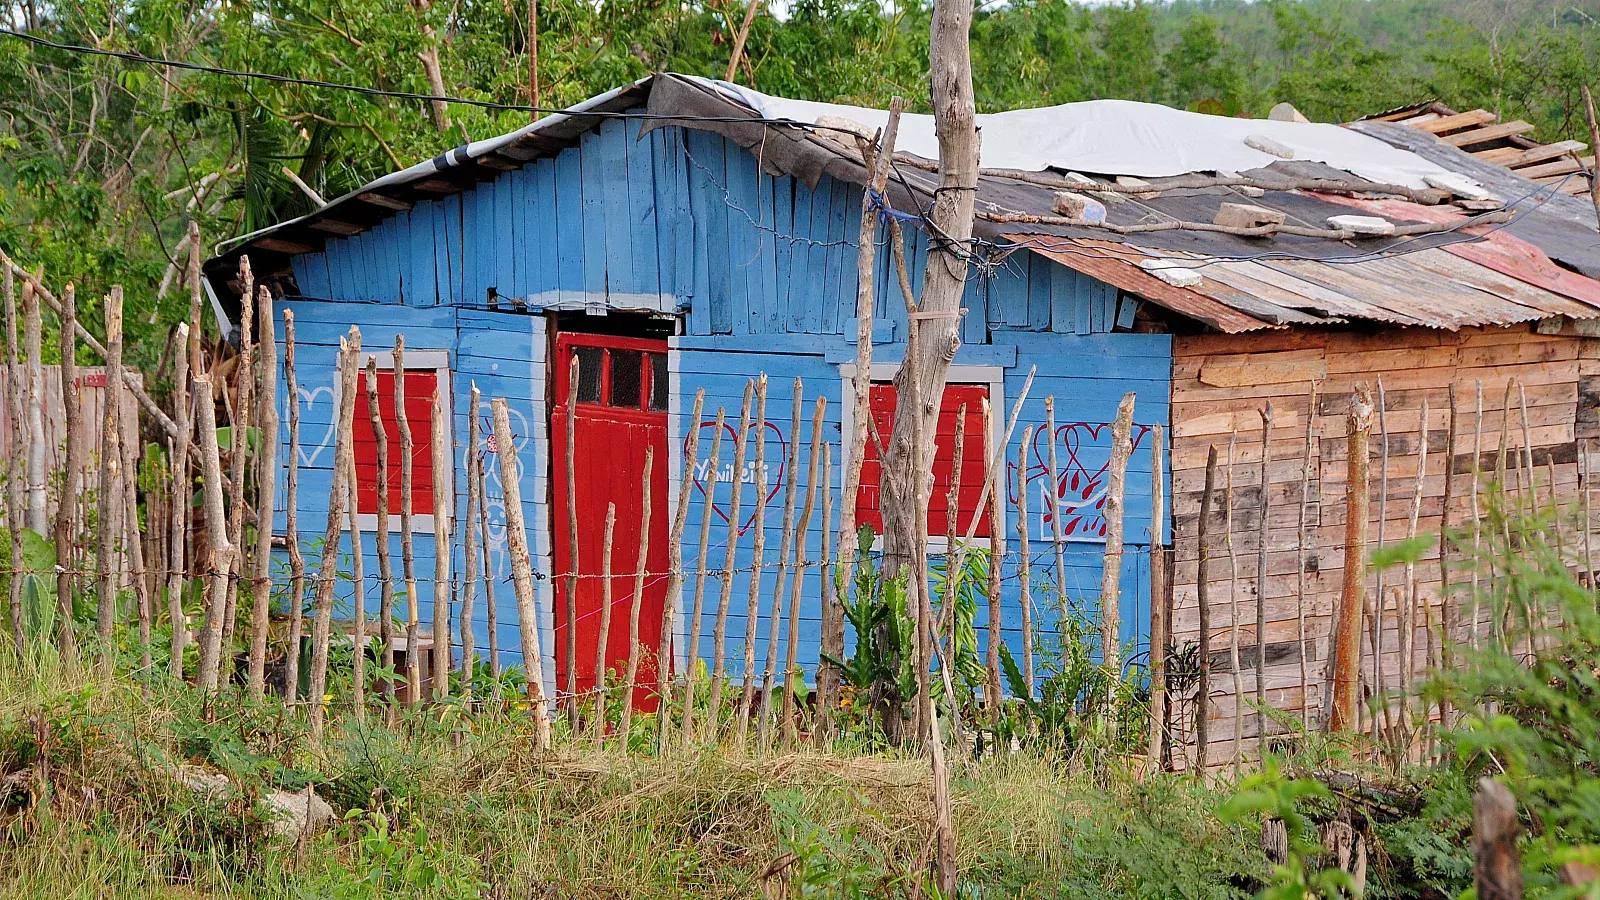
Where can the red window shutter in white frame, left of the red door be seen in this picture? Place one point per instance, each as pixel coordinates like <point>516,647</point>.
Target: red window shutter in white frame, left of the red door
<point>420,412</point>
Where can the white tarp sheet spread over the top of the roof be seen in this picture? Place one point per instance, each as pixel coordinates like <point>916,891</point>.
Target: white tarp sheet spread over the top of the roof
<point>1118,137</point>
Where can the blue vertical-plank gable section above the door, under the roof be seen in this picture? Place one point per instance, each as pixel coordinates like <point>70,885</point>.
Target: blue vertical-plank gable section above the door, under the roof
<point>676,220</point>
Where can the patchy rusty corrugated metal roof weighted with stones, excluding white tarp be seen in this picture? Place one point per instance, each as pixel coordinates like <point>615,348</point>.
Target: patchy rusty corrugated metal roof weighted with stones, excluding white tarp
<point>1471,276</point>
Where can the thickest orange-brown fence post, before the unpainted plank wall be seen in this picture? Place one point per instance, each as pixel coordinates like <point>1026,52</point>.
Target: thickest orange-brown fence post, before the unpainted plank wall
<point>1358,502</point>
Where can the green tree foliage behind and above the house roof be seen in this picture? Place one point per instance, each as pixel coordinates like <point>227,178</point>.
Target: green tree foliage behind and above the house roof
<point>105,161</point>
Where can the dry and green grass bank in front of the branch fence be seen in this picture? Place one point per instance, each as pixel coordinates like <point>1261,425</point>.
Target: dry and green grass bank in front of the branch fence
<point>466,808</point>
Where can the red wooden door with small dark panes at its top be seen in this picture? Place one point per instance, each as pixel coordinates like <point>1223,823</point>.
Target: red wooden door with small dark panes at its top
<point>622,401</point>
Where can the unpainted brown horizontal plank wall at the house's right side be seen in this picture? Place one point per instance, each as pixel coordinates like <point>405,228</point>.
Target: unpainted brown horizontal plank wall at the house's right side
<point>1222,384</point>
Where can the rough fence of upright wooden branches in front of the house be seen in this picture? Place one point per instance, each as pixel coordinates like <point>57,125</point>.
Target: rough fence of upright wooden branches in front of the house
<point>194,569</point>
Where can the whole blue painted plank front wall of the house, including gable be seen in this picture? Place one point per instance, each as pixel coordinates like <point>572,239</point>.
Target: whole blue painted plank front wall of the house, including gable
<point>762,271</point>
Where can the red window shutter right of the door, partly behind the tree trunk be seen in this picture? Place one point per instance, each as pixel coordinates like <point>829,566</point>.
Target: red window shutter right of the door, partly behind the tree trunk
<point>870,499</point>
